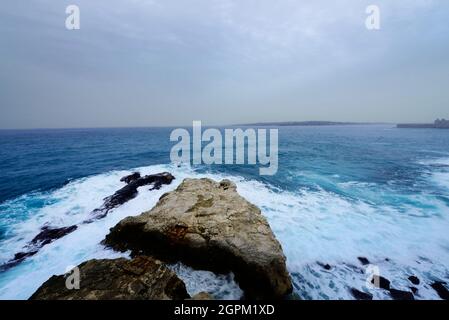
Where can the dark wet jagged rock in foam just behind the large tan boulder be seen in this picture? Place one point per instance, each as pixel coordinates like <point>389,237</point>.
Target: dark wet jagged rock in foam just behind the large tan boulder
<point>129,192</point>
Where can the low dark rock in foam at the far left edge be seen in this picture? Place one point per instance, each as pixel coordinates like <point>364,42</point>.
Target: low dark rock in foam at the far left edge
<point>46,236</point>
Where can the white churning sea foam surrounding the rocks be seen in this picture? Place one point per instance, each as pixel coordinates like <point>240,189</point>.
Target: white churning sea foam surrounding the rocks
<point>312,226</point>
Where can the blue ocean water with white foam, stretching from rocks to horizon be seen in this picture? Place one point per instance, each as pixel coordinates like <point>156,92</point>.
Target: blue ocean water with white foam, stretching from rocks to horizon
<point>341,192</point>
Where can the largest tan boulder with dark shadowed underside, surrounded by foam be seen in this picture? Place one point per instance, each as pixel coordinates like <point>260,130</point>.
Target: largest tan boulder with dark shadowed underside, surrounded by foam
<point>208,225</point>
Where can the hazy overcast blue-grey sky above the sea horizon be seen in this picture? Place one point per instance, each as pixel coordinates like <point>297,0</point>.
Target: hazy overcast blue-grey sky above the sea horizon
<point>169,62</point>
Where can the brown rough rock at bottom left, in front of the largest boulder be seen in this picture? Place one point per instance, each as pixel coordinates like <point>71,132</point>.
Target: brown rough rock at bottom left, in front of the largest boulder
<point>142,278</point>
